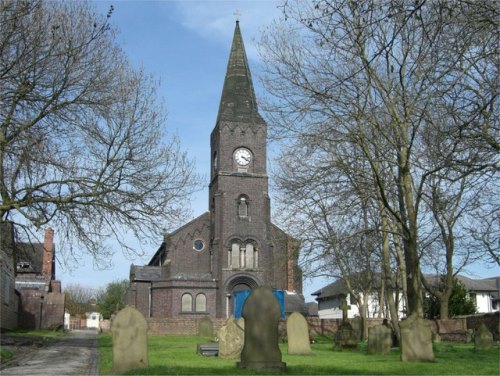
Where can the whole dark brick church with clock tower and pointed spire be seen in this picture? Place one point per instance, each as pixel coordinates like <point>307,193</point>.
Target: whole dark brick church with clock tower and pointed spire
<point>199,267</point>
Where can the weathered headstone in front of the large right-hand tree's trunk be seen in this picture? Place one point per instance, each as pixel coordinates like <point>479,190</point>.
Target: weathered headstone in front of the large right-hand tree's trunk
<point>416,339</point>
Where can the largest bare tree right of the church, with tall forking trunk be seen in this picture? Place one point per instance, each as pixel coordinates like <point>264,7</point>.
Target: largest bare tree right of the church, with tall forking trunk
<point>379,77</point>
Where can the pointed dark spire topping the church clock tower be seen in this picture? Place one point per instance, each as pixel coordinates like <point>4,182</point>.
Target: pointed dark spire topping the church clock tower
<point>238,101</point>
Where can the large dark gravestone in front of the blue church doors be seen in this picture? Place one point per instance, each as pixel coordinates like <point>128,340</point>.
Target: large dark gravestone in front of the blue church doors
<point>261,312</point>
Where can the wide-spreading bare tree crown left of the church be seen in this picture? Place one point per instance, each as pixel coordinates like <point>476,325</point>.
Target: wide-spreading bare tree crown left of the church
<point>82,140</point>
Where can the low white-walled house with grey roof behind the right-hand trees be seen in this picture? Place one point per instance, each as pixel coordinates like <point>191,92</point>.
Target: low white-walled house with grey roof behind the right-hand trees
<point>484,292</point>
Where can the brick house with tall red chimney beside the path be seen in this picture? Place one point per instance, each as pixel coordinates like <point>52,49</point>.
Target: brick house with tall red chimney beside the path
<point>41,299</point>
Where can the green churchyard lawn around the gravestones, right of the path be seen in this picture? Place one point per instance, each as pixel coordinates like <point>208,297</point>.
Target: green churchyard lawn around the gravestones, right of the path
<point>176,355</point>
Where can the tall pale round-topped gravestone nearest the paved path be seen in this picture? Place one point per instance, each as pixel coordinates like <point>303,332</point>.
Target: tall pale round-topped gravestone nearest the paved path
<point>130,341</point>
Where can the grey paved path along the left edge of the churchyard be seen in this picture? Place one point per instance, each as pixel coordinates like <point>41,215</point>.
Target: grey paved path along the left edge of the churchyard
<point>75,354</point>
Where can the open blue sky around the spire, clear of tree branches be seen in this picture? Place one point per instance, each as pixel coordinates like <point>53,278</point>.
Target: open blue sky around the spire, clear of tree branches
<point>186,45</point>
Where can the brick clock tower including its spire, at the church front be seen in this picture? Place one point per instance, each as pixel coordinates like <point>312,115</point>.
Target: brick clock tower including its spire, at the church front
<point>241,240</point>
